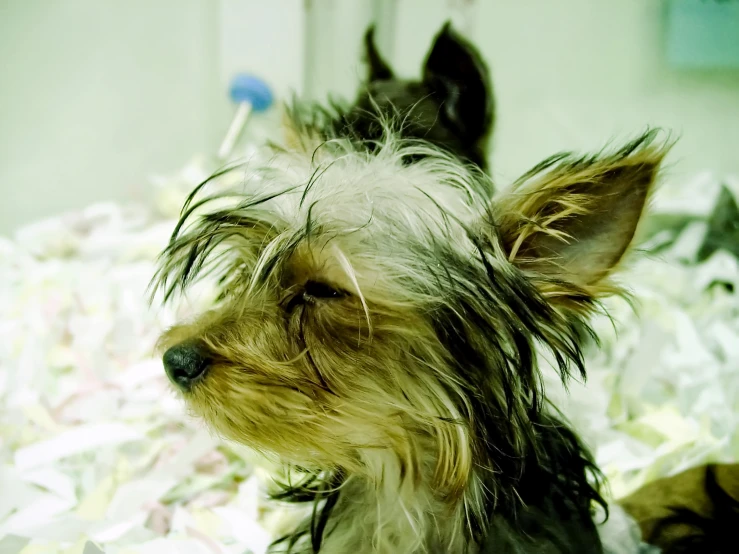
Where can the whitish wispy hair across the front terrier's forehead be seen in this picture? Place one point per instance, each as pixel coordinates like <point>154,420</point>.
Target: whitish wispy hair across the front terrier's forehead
<point>260,211</point>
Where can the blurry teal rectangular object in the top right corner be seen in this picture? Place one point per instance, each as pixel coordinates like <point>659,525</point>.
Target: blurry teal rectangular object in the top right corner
<point>703,34</point>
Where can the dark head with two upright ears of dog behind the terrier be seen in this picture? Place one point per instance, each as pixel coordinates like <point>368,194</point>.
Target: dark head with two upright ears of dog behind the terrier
<point>451,106</point>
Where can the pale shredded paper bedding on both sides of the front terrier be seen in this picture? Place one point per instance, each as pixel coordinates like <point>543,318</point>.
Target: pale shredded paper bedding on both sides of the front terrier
<point>98,455</point>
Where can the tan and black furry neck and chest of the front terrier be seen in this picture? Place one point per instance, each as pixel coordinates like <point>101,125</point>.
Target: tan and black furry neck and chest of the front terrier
<point>391,506</point>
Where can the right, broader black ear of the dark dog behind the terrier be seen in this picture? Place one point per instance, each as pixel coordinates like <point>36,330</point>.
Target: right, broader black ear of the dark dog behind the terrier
<point>459,77</point>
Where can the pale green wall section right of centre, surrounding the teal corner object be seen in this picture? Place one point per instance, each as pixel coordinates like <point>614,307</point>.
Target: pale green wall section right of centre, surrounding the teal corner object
<point>573,74</point>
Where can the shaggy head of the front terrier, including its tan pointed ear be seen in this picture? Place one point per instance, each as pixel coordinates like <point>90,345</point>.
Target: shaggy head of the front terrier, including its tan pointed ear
<point>377,310</point>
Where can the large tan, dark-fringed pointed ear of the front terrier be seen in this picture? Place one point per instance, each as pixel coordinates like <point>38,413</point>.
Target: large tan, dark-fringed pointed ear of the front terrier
<point>568,222</point>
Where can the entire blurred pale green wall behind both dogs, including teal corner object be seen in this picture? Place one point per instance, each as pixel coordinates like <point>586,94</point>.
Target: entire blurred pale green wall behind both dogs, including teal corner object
<point>98,96</point>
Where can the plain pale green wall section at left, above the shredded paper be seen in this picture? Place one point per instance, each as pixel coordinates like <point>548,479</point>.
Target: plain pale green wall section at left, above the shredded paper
<point>94,95</point>
